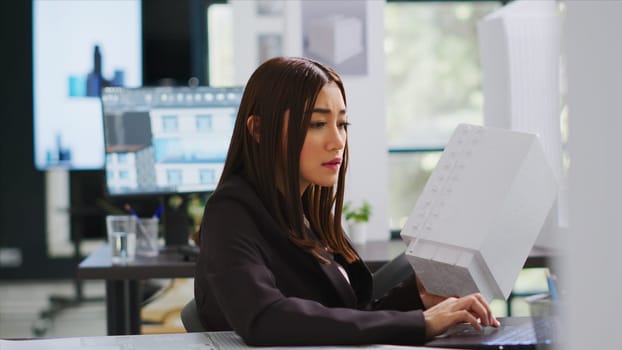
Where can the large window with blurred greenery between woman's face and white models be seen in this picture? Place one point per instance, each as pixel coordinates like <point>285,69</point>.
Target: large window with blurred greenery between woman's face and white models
<point>433,84</point>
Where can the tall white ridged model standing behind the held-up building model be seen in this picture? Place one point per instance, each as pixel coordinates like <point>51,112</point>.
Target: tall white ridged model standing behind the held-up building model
<point>519,47</point>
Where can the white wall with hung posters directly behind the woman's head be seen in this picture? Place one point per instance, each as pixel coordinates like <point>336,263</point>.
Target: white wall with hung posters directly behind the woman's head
<point>368,170</point>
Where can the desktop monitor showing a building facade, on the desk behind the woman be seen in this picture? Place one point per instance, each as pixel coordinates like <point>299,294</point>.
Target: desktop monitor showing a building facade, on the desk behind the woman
<point>161,140</point>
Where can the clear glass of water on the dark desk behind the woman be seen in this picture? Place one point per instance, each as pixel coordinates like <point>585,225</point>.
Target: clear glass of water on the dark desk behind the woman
<point>122,237</point>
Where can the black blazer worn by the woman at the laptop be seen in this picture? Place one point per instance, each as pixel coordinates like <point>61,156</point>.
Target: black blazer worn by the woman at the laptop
<point>252,279</point>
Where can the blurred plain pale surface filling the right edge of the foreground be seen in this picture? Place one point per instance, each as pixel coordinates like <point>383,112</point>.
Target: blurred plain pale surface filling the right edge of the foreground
<point>593,267</point>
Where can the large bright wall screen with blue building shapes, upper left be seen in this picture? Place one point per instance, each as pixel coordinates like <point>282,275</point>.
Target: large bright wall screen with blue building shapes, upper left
<point>79,47</point>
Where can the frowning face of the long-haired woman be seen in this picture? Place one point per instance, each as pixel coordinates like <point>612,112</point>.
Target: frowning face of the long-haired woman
<point>322,151</point>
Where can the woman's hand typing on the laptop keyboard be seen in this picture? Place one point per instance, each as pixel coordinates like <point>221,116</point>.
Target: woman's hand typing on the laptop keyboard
<point>471,309</point>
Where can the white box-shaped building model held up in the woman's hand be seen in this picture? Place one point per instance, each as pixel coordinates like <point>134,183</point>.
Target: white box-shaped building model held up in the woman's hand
<point>480,212</point>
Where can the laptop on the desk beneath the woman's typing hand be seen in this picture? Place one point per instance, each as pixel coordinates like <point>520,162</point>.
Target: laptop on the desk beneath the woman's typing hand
<point>514,333</point>
